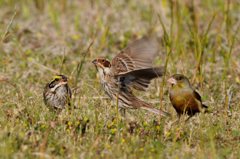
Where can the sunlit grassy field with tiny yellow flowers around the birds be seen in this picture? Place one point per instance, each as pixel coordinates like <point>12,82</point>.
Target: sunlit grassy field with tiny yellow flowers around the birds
<point>40,39</point>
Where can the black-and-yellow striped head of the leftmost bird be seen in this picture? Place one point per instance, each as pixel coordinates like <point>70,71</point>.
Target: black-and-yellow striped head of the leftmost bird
<point>58,81</point>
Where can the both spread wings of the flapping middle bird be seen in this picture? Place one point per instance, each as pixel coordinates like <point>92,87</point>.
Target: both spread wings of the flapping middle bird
<point>133,65</point>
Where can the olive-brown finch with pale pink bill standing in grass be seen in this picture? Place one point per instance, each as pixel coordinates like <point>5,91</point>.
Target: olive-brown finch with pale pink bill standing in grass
<point>183,97</point>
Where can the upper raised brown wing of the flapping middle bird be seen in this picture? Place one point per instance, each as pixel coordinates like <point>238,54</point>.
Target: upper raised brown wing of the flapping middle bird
<point>139,54</point>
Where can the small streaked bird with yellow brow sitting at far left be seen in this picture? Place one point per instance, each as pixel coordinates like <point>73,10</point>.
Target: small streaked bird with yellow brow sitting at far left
<point>57,94</point>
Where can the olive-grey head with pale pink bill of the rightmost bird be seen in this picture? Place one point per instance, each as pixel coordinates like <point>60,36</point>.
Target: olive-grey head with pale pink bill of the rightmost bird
<point>179,81</point>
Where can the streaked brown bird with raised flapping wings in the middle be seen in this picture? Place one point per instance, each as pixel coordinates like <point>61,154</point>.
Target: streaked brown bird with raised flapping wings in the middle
<point>130,69</point>
